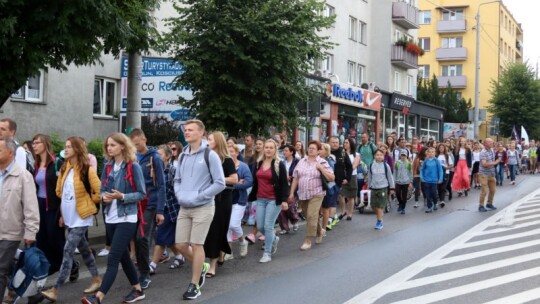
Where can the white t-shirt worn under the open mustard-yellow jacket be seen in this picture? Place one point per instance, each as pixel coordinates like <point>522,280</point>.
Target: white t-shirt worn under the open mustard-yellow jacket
<point>69,206</point>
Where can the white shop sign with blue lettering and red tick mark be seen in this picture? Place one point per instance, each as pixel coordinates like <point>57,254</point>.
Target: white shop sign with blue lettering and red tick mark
<point>365,98</point>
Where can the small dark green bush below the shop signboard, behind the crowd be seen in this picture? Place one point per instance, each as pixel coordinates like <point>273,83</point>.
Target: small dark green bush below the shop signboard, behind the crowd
<point>159,130</point>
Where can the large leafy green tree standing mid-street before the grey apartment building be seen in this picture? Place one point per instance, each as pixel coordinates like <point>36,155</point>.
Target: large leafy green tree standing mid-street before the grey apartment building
<point>246,60</point>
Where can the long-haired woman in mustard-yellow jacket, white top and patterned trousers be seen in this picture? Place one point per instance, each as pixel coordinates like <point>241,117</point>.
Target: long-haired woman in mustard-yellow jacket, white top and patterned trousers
<point>78,187</point>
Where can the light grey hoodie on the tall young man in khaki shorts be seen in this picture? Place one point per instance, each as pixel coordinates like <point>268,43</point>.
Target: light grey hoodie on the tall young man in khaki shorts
<point>195,183</point>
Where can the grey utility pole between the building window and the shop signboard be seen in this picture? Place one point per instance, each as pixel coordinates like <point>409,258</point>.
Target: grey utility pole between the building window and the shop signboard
<point>133,111</point>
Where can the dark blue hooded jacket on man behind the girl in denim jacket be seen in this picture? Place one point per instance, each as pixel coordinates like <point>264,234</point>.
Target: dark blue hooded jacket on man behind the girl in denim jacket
<point>154,179</point>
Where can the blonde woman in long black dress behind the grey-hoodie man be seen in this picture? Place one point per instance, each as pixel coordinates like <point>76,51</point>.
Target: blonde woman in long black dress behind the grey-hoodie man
<point>216,240</point>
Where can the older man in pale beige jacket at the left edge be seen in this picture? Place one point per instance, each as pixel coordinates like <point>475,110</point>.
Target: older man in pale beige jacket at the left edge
<point>19,219</point>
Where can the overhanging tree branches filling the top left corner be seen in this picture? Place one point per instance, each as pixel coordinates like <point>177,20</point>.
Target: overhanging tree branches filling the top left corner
<point>36,35</point>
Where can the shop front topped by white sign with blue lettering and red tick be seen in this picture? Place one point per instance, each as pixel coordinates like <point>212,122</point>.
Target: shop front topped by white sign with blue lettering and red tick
<point>352,111</point>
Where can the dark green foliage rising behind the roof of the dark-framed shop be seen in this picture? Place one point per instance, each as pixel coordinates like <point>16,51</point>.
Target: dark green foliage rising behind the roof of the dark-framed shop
<point>456,109</point>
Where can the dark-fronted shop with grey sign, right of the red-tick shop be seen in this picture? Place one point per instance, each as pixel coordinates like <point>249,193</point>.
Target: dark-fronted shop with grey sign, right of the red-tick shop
<point>408,117</point>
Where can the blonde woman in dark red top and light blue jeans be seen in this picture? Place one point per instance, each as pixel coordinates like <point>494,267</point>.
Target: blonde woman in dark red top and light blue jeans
<point>270,191</point>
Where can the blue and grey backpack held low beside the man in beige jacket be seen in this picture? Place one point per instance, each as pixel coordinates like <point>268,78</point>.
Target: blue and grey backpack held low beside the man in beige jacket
<point>30,272</point>
